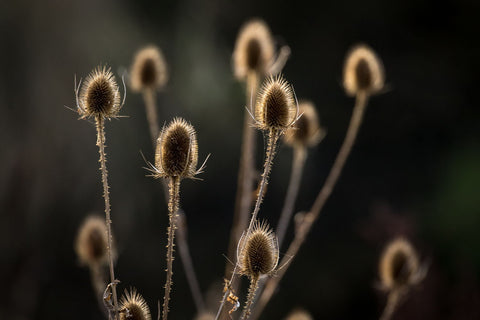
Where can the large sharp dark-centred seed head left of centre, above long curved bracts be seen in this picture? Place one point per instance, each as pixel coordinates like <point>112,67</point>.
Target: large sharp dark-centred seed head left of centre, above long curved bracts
<point>177,150</point>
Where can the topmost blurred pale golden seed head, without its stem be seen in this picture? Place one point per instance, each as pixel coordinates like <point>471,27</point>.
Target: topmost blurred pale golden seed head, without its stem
<point>254,49</point>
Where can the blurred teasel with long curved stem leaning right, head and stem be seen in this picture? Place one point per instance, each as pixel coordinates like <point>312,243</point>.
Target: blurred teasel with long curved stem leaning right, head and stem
<point>363,76</point>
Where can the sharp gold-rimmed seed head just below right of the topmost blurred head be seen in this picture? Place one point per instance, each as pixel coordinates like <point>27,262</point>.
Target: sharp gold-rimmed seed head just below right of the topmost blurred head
<point>276,107</point>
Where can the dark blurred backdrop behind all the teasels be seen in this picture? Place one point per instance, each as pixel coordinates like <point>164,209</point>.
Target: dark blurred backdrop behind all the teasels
<point>414,171</point>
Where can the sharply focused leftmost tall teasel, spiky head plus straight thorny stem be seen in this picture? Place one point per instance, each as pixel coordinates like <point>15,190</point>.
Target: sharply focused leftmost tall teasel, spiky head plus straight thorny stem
<point>99,98</point>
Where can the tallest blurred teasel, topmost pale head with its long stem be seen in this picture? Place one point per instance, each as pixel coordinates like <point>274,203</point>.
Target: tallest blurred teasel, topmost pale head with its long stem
<point>253,59</point>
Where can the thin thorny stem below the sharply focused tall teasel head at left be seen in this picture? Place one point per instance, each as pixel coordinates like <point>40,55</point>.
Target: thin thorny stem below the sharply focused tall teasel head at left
<point>100,123</point>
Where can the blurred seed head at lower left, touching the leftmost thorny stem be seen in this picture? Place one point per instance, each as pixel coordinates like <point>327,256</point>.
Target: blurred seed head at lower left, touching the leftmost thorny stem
<point>92,241</point>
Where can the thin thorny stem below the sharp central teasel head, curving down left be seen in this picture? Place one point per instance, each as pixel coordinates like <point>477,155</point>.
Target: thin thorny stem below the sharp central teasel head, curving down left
<point>273,136</point>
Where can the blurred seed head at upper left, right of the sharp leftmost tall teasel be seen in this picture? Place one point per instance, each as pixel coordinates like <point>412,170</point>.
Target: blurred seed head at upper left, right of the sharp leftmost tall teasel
<point>149,70</point>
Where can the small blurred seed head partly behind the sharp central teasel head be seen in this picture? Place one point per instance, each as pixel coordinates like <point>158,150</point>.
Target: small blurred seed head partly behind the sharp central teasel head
<point>306,132</point>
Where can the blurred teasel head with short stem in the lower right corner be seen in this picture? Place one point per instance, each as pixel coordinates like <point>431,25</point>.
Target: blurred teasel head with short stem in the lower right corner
<point>399,271</point>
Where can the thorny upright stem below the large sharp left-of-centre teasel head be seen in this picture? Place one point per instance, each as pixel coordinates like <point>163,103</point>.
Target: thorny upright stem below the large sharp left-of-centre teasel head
<point>174,190</point>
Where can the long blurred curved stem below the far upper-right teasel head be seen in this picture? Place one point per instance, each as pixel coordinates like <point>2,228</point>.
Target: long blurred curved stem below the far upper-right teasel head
<point>312,215</point>
